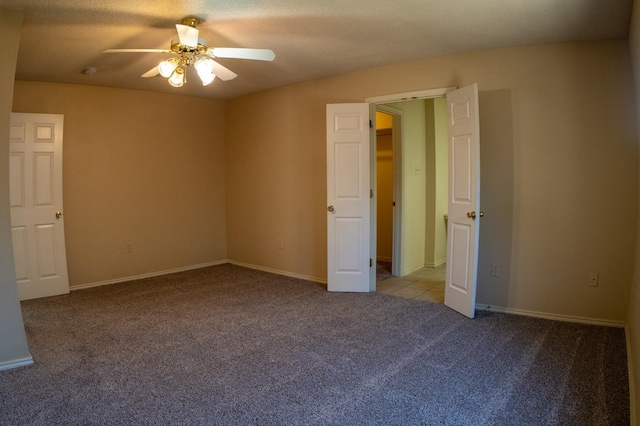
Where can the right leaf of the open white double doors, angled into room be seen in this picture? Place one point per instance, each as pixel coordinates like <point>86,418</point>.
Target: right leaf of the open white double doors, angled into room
<point>464,200</point>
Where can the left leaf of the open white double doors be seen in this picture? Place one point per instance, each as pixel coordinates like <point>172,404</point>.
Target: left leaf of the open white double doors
<point>348,197</point>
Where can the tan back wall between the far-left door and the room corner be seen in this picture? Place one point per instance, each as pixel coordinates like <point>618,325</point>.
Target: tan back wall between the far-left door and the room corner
<point>141,168</point>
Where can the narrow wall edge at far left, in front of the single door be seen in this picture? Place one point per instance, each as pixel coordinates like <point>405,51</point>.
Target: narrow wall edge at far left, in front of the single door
<point>13,342</point>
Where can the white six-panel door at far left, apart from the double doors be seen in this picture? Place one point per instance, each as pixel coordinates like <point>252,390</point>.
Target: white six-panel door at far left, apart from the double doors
<point>37,224</point>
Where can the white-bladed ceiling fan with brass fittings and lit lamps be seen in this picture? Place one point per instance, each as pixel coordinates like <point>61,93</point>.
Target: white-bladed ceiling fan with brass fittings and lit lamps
<point>192,51</point>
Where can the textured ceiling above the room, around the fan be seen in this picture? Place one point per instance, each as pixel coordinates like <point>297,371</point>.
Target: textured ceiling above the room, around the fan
<point>311,39</point>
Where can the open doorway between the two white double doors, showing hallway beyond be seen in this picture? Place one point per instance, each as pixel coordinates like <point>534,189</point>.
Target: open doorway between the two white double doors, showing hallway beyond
<point>412,165</point>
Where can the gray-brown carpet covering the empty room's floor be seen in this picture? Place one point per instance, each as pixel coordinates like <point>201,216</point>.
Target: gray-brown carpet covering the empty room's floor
<point>227,345</point>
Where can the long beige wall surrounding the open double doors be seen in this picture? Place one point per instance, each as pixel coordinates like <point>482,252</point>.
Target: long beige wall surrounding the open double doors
<point>570,148</point>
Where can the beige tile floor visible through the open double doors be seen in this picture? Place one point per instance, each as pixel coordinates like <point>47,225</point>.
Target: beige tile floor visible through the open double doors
<point>425,284</point>
